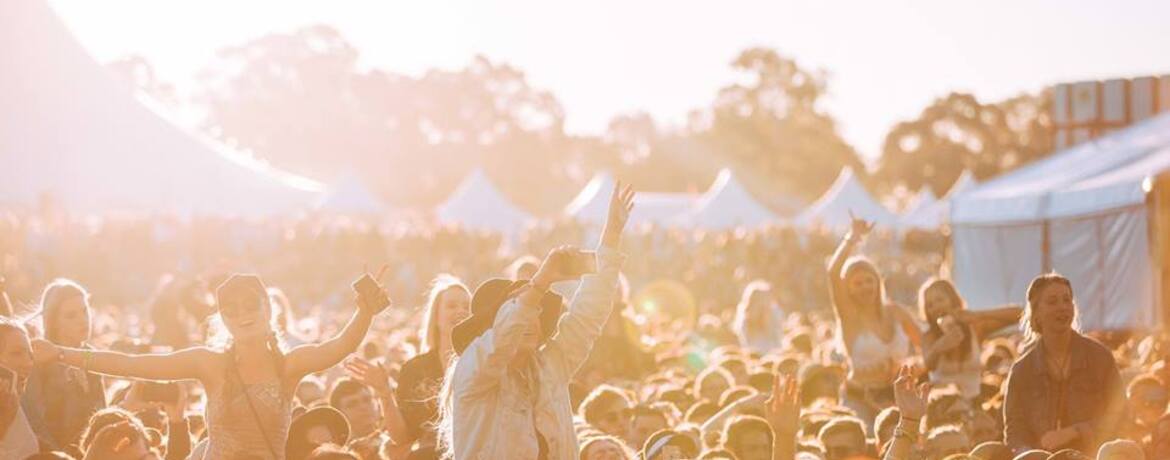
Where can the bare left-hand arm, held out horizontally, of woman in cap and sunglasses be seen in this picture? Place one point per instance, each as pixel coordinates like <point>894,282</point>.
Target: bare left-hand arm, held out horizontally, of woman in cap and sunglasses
<point>192,363</point>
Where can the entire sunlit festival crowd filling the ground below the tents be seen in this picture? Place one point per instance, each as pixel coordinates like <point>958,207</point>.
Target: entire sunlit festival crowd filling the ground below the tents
<point>160,339</point>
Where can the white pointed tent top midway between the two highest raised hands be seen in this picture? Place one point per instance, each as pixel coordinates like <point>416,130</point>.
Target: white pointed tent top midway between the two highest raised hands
<point>727,204</point>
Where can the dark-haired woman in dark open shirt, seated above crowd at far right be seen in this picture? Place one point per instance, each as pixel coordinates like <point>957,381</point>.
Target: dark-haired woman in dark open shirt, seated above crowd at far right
<point>1065,393</point>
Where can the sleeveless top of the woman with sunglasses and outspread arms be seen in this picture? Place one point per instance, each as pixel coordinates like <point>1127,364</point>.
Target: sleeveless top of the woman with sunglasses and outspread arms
<point>233,431</point>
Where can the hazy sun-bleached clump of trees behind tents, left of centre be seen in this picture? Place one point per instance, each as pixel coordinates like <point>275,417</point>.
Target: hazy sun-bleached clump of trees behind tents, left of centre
<point>301,101</point>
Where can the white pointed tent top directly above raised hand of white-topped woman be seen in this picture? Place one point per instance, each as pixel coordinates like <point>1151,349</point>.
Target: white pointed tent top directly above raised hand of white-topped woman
<point>845,196</point>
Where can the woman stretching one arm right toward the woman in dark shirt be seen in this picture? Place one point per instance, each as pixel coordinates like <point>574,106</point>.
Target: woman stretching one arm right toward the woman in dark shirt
<point>954,338</point>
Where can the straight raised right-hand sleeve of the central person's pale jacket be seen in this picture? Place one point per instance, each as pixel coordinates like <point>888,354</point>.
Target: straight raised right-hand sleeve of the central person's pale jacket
<point>588,313</point>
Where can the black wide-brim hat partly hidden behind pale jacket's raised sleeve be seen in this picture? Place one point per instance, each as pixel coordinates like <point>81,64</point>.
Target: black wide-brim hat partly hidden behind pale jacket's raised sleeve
<point>486,304</point>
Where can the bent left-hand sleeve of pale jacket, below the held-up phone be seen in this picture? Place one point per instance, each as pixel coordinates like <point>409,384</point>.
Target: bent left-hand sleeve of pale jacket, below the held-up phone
<point>486,360</point>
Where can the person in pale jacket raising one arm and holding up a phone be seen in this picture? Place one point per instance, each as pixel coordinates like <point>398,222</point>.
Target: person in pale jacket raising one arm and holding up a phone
<point>507,396</point>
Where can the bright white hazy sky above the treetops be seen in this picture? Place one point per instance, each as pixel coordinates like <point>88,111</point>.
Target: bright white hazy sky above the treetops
<point>601,58</point>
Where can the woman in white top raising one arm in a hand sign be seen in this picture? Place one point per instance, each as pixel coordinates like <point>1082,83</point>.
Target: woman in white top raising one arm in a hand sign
<point>876,335</point>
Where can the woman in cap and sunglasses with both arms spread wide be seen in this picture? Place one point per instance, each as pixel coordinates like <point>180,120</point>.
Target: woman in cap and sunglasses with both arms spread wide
<point>251,383</point>
